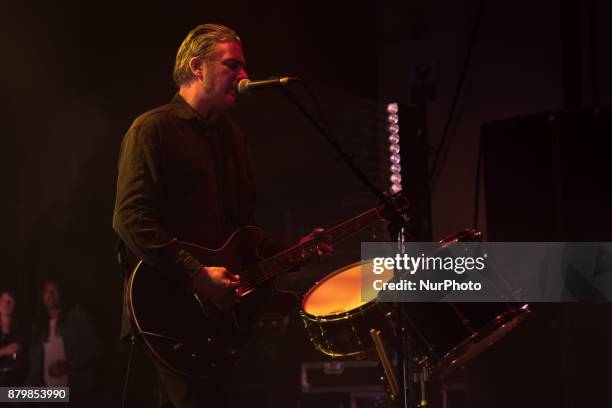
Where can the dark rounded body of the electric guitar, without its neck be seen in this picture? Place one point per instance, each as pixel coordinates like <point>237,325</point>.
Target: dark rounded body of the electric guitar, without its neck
<point>189,336</point>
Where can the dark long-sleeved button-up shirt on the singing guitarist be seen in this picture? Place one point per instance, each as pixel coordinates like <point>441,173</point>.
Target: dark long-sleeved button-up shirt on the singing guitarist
<point>181,178</point>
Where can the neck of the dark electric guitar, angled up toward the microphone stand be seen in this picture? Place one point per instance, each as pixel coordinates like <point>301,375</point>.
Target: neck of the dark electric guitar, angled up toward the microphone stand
<point>297,255</point>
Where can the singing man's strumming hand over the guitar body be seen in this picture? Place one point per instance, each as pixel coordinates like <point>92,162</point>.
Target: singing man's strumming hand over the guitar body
<point>218,285</point>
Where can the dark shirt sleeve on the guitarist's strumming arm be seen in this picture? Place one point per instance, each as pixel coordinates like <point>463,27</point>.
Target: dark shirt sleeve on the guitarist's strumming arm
<point>137,218</point>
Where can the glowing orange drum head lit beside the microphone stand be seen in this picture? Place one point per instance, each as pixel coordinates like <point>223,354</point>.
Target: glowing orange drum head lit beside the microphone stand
<point>340,291</point>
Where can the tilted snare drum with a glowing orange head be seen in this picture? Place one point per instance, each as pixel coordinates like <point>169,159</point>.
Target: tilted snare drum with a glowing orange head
<point>338,317</point>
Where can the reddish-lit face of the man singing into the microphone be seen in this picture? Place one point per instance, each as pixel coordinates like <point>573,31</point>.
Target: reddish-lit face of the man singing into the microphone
<point>222,72</point>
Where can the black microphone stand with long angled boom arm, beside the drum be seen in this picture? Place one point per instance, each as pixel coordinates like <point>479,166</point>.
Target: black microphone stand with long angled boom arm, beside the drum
<point>398,222</point>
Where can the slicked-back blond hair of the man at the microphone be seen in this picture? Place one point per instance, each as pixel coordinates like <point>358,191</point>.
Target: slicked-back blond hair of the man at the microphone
<point>200,42</point>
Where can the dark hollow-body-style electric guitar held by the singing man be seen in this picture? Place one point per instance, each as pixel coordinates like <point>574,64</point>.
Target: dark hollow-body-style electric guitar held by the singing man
<point>192,337</point>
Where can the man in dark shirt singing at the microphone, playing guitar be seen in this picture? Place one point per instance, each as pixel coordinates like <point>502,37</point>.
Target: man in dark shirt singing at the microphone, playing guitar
<point>184,175</point>
